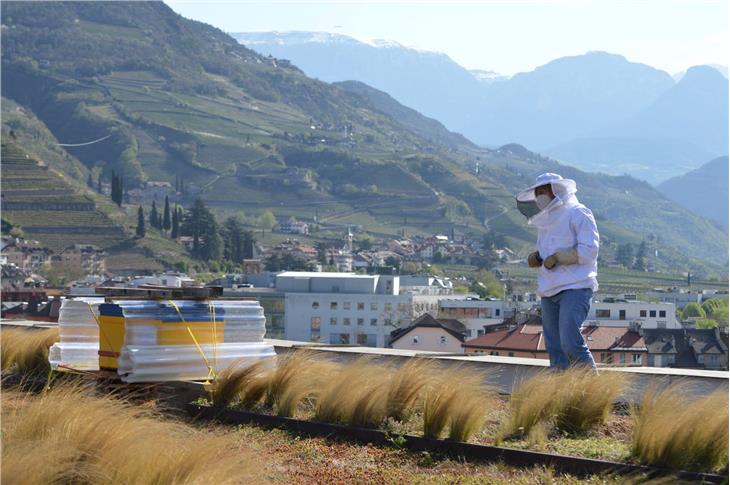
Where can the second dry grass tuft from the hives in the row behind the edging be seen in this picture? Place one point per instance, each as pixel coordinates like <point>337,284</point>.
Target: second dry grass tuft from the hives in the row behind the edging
<point>298,374</point>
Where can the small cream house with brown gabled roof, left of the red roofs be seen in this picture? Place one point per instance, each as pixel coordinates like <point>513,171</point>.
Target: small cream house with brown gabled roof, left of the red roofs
<point>427,333</point>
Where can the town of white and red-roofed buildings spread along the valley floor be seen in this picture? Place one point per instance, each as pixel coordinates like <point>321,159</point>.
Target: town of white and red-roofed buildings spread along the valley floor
<point>387,295</point>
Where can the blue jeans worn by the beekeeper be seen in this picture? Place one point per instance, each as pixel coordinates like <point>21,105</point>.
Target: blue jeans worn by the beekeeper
<point>562,316</point>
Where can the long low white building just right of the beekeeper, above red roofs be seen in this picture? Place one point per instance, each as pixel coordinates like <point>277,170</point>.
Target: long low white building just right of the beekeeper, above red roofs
<point>622,313</point>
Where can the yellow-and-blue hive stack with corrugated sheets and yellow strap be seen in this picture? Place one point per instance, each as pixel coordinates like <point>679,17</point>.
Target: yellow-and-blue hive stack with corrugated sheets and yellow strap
<point>153,341</point>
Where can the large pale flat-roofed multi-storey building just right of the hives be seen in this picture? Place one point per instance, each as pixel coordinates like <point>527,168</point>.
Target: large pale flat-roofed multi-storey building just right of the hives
<point>345,308</point>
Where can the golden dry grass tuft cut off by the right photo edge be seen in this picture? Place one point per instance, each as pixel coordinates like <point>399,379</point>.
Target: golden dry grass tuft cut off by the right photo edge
<point>670,431</point>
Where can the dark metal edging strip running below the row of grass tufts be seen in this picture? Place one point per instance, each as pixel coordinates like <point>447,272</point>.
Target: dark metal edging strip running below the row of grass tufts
<point>470,451</point>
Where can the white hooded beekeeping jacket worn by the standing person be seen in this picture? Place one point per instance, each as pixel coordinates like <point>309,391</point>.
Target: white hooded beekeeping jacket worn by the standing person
<point>566,223</point>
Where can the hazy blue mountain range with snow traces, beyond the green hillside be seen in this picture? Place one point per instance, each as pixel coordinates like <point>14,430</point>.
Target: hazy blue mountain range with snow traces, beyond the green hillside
<point>596,111</point>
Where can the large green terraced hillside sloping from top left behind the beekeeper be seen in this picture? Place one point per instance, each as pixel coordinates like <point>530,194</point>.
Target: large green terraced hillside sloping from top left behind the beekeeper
<point>247,133</point>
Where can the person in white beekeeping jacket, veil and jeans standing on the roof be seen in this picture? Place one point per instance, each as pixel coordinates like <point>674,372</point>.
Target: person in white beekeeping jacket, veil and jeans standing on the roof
<point>566,258</point>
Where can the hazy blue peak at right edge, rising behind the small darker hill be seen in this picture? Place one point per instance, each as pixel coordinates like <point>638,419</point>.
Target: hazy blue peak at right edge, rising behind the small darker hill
<point>687,123</point>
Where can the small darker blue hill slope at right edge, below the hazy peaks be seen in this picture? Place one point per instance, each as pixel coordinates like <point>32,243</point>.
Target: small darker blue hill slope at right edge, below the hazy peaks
<point>704,191</point>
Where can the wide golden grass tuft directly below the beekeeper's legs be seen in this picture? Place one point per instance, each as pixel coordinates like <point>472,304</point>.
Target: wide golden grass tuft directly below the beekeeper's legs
<point>574,401</point>
